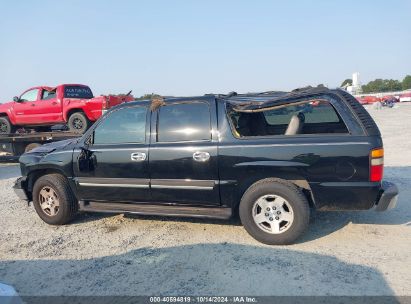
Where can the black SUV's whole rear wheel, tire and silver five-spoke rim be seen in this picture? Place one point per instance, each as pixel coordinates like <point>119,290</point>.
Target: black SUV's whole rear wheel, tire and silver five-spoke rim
<point>274,212</point>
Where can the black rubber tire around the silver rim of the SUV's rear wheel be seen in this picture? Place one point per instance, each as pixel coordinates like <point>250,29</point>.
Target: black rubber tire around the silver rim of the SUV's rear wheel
<point>300,211</point>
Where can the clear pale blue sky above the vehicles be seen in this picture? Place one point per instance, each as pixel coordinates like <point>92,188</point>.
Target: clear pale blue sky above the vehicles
<point>197,47</point>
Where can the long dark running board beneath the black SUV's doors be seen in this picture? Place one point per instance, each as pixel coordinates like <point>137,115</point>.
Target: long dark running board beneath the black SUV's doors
<point>164,210</point>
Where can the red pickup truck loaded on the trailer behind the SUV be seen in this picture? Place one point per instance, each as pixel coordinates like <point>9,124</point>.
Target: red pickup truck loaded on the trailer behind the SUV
<point>42,107</point>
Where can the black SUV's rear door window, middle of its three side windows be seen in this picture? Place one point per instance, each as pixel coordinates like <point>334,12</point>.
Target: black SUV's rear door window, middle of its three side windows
<point>184,122</point>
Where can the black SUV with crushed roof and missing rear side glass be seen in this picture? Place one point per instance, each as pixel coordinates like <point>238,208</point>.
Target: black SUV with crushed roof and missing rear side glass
<point>271,157</point>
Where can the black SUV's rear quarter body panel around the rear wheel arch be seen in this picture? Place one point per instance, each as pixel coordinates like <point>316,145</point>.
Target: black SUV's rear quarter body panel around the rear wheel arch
<point>334,168</point>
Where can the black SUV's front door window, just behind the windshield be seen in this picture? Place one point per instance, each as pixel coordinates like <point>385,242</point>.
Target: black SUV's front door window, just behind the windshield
<point>126,125</point>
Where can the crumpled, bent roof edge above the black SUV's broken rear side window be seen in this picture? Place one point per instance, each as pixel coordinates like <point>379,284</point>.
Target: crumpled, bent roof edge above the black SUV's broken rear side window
<point>254,102</point>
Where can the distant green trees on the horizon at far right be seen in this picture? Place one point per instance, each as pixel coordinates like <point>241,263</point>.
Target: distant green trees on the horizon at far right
<point>383,85</point>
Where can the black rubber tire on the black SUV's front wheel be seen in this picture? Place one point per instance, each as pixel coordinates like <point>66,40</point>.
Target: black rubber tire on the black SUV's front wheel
<point>68,205</point>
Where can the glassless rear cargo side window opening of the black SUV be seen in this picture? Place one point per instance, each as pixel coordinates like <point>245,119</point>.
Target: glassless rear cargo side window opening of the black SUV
<point>310,117</point>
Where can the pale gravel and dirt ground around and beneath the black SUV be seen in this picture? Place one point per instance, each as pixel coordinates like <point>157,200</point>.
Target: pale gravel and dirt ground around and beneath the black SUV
<point>351,253</point>
